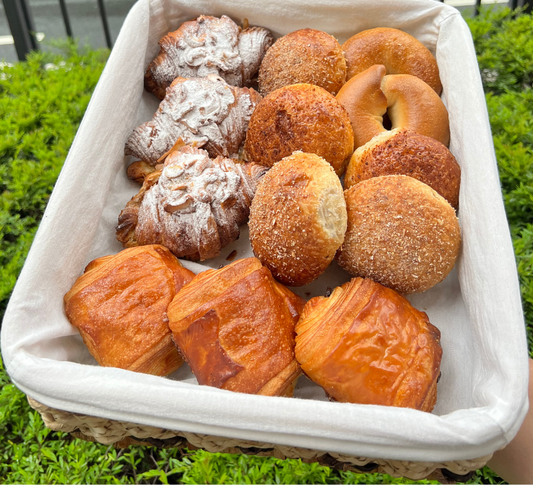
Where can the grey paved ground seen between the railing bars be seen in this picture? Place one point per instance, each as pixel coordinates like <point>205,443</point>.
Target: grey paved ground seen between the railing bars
<point>87,25</point>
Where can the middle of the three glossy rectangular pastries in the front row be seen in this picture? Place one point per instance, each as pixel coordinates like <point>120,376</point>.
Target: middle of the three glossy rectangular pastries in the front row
<point>235,328</point>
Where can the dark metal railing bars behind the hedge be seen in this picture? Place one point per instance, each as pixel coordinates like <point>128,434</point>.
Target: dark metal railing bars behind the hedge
<point>22,27</point>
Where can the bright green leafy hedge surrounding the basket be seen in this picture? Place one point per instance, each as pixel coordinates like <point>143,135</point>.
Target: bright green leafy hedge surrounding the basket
<point>42,102</point>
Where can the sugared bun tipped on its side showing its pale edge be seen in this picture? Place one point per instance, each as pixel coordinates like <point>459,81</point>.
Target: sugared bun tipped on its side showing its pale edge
<point>298,218</point>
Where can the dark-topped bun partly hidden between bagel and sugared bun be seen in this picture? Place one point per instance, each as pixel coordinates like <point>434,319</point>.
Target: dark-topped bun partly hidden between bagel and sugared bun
<point>404,152</point>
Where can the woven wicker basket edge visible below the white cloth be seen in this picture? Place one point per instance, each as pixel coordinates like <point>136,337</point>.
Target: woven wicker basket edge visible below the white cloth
<point>122,434</point>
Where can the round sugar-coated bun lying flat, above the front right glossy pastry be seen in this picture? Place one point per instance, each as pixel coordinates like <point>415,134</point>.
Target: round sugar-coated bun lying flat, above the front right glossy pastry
<point>401,233</point>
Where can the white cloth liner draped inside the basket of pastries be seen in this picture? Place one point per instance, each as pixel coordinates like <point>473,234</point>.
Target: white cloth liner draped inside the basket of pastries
<point>482,396</point>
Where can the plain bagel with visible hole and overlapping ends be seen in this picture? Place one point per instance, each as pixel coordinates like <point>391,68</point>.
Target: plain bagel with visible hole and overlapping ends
<point>407,101</point>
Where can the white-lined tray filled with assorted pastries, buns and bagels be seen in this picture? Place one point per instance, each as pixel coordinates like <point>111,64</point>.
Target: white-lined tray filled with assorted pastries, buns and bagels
<point>282,224</point>
